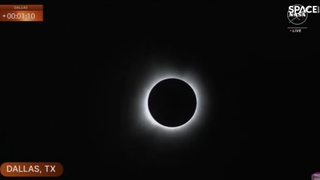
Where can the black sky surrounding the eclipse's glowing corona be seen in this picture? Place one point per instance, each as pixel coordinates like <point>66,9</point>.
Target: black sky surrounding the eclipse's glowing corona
<point>55,95</point>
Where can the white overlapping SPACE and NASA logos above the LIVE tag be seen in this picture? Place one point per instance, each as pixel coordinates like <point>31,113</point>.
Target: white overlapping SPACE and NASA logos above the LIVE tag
<point>298,14</point>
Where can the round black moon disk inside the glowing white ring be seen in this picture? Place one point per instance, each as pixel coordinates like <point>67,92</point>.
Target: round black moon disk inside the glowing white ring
<point>172,102</point>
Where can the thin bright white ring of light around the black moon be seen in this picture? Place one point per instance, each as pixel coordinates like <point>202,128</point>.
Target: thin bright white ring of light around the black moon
<point>195,111</point>
